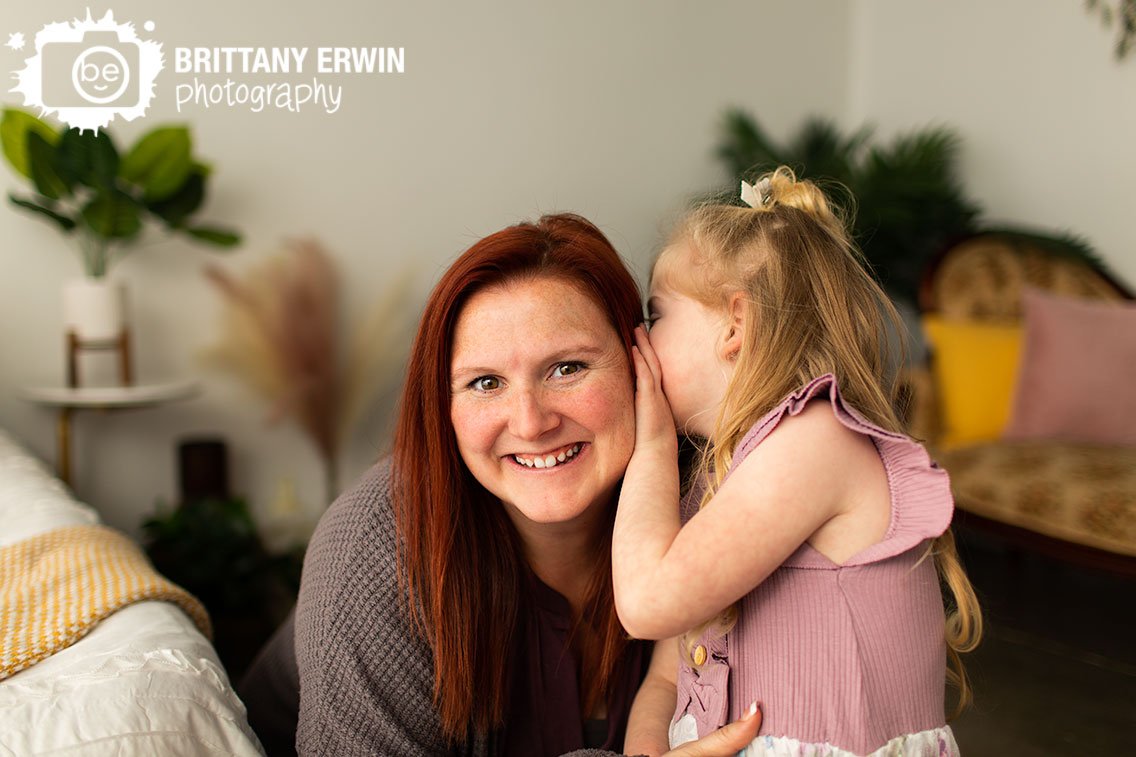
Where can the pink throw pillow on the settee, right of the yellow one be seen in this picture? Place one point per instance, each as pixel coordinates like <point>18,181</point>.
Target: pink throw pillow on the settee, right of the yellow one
<point>1077,379</point>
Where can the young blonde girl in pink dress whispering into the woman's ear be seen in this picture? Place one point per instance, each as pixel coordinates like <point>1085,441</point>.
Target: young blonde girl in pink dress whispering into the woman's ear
<point>801,560</point>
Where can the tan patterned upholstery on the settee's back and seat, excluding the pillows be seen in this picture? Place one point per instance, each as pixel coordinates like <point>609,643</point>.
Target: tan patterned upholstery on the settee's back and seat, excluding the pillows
<point>1082,494</point>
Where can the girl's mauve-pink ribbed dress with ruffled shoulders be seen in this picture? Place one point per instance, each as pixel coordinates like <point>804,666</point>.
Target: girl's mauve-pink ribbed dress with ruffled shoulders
<point>847,660</point>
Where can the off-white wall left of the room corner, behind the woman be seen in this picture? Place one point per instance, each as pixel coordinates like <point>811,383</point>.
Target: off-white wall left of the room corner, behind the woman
<point>507,111</point>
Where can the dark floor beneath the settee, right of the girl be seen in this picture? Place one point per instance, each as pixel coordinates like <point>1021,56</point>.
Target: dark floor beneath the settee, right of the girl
<point>1057,675</point>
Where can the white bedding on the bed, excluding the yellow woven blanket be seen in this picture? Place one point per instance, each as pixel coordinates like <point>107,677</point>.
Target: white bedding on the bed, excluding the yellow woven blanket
<point>144,683</point>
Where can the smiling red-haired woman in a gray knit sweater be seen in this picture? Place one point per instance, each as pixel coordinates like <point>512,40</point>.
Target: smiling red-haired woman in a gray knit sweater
<point>458,600</point>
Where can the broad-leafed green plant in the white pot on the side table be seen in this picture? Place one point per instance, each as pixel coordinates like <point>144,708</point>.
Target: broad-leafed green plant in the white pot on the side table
<point>89,189</point>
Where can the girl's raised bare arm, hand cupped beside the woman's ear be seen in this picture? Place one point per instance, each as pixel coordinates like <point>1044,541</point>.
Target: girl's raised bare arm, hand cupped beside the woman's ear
<point>670,580</point>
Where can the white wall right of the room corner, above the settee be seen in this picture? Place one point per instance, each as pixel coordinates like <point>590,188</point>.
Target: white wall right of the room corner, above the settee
<point>1047,114</point>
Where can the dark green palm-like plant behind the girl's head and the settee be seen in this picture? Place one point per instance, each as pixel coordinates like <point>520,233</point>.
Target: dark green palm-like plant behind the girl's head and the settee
<point>909,203</point>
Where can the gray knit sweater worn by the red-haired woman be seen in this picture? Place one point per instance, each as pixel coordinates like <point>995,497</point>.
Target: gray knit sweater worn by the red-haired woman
<point>366,679</point>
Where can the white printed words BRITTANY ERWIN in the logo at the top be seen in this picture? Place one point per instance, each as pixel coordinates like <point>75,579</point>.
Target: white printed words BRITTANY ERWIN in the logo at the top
<point>289,61</point>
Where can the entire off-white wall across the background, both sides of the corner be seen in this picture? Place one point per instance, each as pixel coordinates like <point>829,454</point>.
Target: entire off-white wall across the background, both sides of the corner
<point>509,110</point>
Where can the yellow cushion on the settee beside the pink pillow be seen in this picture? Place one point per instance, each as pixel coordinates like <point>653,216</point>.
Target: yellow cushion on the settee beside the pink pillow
<point>975,367</point>
